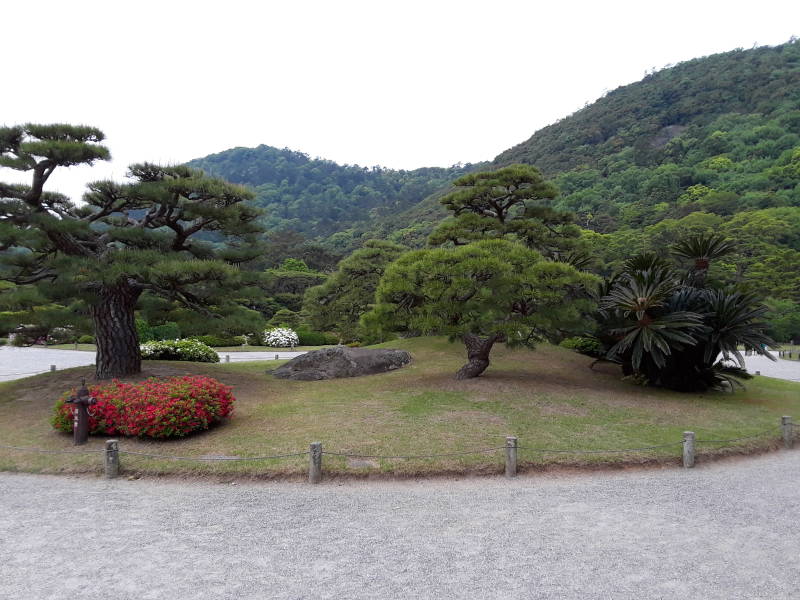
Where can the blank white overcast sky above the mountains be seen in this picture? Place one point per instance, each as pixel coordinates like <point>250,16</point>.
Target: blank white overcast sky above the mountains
<point>401,84</point>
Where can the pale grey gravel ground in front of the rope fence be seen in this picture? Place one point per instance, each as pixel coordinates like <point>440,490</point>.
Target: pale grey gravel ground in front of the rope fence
<point>725,530</point>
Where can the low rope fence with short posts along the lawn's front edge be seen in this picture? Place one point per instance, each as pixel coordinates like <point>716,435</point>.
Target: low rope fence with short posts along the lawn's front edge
<point>787,430</point>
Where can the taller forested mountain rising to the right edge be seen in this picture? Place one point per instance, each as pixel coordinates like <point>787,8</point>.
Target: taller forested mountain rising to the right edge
<point>718,134</point>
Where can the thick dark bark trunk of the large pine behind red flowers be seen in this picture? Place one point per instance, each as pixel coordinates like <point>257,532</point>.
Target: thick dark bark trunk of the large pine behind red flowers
<point>115,332</point>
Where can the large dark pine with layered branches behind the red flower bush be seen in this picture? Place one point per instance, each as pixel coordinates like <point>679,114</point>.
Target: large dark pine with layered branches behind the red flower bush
<point>124,240</point>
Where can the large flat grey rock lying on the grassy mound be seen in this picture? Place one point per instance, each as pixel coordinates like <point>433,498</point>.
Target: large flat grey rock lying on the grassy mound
<point>331,363</point>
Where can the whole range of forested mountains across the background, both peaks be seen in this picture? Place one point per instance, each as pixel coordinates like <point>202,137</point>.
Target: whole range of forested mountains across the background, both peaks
<point>711,143</point>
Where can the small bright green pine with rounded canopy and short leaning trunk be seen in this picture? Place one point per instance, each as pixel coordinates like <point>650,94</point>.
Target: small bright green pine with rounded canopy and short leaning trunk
<point>481,293</point>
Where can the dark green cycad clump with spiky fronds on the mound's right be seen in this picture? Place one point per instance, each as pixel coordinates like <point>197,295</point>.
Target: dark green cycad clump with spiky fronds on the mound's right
<point>675,332</point>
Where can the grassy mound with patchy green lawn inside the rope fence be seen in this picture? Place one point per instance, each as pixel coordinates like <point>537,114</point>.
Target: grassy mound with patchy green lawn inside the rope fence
<point>549,398</point>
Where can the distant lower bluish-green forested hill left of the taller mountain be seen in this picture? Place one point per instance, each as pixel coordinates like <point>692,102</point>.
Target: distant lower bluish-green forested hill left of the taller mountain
<point>318,198</point>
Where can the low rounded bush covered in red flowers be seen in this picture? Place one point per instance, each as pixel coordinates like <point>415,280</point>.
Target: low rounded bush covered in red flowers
<point>173,407</point>
